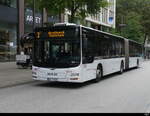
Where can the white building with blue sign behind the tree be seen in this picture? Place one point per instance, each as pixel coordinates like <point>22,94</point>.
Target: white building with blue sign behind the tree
<point>104,20</point>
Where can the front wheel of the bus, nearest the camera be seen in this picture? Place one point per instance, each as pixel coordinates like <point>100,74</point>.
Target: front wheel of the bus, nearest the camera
<point>99,74</point>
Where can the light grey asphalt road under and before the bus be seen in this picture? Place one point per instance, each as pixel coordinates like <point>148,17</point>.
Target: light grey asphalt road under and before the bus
<point>126,93</point>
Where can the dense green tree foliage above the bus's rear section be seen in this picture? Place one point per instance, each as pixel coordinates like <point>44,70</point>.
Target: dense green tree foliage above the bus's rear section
<point>135,15</point>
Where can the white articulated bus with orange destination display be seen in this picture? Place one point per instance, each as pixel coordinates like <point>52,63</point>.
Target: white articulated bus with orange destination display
<point>73,53</point>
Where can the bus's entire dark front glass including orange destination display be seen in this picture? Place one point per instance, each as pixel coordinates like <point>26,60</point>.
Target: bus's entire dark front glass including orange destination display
<point>59,49</point>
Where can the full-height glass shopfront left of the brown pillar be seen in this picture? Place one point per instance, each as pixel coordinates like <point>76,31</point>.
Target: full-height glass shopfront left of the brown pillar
<point>8,30</point>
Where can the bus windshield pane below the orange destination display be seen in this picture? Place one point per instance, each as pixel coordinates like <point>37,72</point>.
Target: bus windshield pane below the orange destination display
<point>57,54</point>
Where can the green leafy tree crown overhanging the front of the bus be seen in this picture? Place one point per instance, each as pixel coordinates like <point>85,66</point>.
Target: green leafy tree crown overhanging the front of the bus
<point>77,8</point>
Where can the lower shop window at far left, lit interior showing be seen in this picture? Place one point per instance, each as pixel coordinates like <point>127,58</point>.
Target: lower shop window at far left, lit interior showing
<point>8,42</point>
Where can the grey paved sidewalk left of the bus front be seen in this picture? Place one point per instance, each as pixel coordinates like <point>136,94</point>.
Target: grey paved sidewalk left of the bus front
<point>10,75</point>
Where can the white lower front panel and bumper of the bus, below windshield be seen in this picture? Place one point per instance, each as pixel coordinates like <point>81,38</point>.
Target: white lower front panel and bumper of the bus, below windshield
<point>58,75</point>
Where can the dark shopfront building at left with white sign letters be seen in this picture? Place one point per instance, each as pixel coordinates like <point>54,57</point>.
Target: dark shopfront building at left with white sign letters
<point>16,19</point>
